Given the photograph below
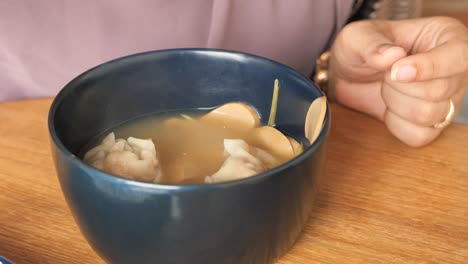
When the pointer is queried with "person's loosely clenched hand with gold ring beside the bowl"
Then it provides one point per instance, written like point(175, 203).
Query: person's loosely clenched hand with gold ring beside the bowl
point(402, 72)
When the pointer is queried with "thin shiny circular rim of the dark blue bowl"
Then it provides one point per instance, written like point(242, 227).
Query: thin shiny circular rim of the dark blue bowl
point(72, 158)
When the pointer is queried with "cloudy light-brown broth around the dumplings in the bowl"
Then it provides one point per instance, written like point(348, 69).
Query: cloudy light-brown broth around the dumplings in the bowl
point(189, 149)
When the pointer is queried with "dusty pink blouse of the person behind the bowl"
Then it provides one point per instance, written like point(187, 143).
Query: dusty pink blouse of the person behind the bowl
point(45, 44)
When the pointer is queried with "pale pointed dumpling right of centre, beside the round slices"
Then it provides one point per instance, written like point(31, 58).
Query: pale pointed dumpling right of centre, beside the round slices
point(241, 161)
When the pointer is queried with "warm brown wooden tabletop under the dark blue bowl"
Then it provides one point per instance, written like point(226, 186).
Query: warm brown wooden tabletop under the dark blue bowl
point(381, 202)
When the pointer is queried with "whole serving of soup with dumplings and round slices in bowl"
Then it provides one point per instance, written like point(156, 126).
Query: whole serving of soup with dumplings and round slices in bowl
point(225, 144)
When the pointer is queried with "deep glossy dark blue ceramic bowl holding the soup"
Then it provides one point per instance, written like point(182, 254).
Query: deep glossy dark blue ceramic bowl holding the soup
point(254, 220)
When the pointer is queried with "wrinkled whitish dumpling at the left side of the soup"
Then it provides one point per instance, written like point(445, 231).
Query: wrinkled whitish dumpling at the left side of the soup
point(132, 158)
